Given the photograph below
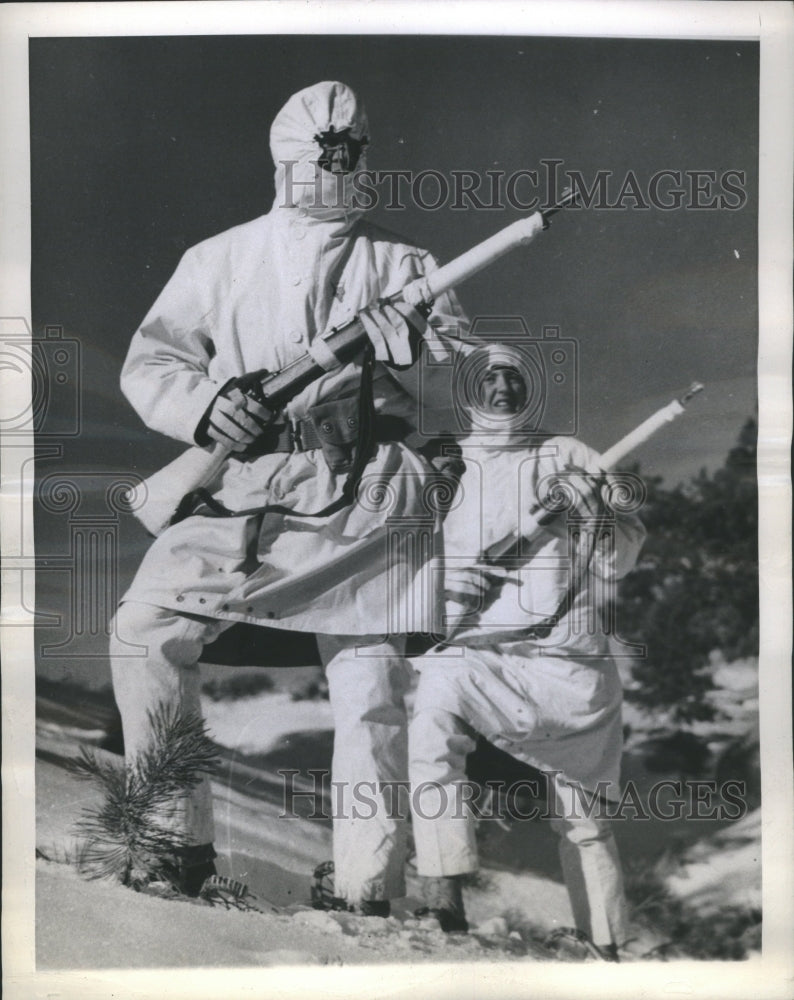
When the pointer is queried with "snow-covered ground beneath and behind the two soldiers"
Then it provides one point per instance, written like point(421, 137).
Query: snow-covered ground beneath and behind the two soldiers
point(519, 898)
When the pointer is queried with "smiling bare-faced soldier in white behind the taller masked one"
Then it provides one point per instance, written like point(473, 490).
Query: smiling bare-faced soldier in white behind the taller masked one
point(525, 668)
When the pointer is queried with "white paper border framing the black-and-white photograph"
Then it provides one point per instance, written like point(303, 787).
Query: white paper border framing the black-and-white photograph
point(770, 23)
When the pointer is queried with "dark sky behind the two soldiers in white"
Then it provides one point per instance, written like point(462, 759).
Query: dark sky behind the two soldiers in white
point(141, 147)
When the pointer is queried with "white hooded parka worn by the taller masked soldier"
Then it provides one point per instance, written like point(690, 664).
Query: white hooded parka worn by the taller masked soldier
point(256, 297)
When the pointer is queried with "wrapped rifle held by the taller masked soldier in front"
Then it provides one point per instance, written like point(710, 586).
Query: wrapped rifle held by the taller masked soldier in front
point(163, 491)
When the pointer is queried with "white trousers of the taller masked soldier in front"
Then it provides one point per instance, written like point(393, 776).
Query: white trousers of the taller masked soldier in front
point(366, 683)
